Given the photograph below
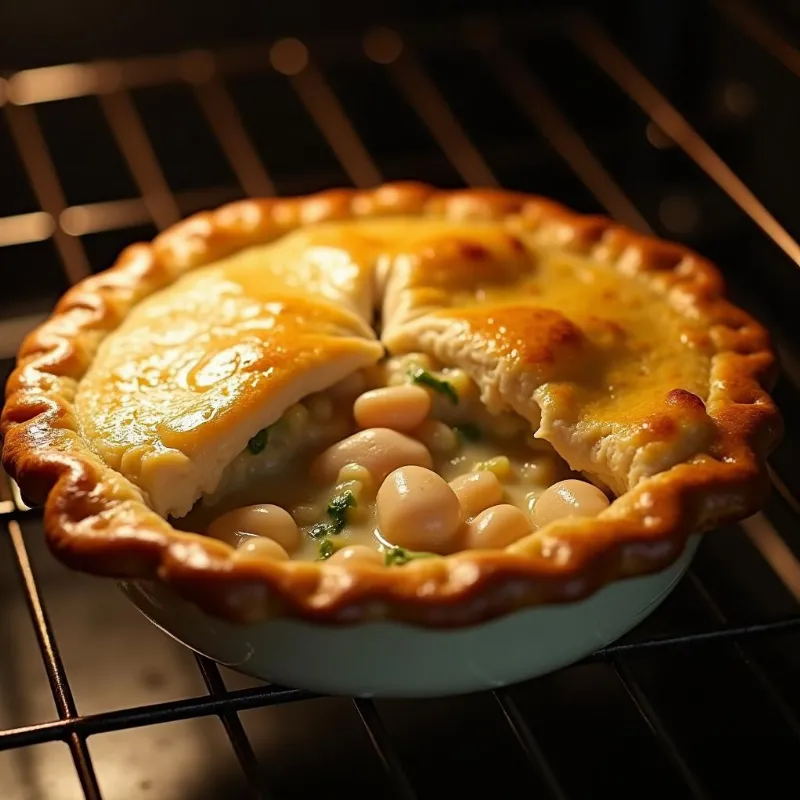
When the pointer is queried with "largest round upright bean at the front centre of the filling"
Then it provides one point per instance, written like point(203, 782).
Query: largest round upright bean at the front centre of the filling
point(418, 510)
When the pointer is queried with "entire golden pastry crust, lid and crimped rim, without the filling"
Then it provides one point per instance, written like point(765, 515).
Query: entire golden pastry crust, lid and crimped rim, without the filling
point(620, 350)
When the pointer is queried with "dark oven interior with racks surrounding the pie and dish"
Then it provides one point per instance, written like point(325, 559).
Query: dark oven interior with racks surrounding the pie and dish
point(678, 118)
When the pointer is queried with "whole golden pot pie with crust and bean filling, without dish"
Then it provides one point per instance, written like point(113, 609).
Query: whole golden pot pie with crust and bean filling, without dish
point(426, 406)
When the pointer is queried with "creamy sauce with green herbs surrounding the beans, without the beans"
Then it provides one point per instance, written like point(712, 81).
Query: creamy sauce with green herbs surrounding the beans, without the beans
point(461, 437)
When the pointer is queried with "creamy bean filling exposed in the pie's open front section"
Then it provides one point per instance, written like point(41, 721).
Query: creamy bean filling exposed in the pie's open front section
point(397, 462)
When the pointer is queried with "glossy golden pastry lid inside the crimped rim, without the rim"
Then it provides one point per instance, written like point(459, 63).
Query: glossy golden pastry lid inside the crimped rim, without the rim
point(590, 355)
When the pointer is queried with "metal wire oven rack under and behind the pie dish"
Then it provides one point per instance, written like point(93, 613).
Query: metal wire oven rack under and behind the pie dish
point(303, 65)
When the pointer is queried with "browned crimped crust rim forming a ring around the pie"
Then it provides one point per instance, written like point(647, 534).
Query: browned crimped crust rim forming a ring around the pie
point(97, 521)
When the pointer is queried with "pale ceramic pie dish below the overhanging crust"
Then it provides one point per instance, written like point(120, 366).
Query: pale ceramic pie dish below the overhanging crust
point(387, 659)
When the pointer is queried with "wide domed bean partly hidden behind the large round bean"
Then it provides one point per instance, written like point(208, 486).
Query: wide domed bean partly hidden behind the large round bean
point(379, 450)
